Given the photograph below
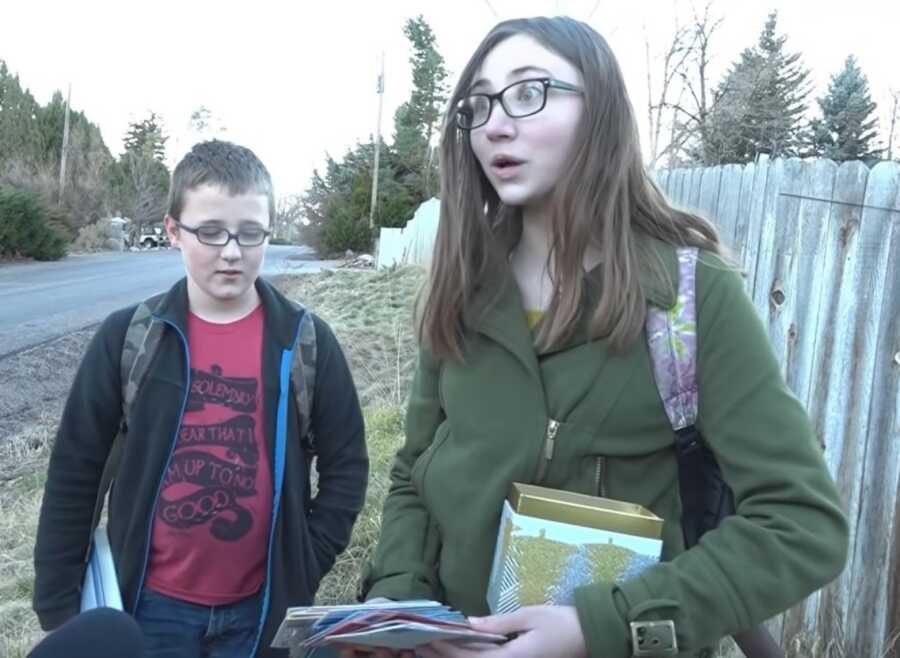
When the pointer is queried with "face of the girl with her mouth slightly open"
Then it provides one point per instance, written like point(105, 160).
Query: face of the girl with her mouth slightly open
point(524, 158)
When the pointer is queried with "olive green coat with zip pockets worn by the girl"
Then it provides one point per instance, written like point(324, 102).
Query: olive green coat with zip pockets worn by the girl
point(475, 427)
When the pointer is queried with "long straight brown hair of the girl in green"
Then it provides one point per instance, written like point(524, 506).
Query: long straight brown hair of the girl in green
point(604, 198)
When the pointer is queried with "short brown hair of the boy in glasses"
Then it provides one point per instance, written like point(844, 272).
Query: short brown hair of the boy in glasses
point(216, 162)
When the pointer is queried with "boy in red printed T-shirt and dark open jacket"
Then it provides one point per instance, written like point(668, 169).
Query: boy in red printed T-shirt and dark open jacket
point(210, 543)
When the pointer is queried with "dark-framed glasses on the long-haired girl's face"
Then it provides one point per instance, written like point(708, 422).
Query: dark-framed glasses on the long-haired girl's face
point(518, 100)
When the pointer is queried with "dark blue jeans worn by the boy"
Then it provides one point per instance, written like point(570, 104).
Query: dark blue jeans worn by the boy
point(178, 629)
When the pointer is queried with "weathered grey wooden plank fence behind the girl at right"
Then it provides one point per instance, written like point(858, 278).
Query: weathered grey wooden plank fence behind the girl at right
point(820, 243)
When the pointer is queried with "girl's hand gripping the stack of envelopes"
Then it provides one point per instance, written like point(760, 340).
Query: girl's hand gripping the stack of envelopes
point(543, 631)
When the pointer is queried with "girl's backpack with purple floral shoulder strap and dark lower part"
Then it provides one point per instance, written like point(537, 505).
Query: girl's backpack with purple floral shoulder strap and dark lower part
point(706, 499)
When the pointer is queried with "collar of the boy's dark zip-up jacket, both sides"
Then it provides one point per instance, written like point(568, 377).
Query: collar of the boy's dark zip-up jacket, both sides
point(282, 315)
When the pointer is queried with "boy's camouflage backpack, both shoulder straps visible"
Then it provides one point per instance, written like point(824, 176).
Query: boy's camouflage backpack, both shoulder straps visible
point(141, 343)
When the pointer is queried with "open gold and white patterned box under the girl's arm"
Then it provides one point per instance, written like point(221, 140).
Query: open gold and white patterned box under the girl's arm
point(552, 542)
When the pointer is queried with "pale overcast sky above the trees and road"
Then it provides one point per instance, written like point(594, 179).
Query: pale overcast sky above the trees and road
point(293, 80)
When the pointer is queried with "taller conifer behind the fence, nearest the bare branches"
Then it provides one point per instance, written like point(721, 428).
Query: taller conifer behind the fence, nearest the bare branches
point(759, 106)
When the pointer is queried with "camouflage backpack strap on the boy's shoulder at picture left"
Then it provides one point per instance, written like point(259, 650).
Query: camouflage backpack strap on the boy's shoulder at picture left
point(141, 341)
